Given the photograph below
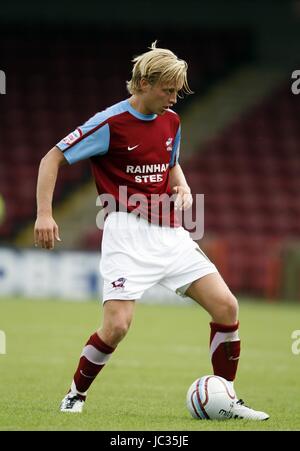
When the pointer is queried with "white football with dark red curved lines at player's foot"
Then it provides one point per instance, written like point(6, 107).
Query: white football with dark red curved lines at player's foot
point(210, 398)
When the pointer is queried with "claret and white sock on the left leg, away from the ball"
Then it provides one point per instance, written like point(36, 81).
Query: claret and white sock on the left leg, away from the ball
point(93, 358)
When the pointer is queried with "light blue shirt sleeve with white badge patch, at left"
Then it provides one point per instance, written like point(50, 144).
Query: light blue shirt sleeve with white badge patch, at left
point(88, 140)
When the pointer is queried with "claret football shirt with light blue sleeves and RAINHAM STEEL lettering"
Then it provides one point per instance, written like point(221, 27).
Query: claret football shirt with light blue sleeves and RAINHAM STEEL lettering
point(127, 148)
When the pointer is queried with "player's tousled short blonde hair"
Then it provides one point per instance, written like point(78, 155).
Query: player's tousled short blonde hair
point(159, 65)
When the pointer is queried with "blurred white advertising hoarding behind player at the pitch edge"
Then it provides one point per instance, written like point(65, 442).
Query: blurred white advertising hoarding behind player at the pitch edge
point(66, 275)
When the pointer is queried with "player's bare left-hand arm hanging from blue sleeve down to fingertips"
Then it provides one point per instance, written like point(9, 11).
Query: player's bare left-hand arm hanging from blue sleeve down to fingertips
point(46, 229)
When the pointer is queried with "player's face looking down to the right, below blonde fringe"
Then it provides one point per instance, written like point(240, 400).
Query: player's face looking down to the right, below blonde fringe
point(159, 97)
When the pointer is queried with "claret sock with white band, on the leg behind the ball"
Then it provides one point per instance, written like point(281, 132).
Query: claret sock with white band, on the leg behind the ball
point(224, 349)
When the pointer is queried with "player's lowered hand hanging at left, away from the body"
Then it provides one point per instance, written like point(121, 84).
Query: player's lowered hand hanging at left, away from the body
point(45, 232)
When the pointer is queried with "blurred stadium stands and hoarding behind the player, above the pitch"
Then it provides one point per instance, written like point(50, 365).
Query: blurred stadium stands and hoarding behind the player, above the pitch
point(63, 62)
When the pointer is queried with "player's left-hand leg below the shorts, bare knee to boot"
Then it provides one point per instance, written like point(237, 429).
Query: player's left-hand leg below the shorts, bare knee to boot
point(97, 351)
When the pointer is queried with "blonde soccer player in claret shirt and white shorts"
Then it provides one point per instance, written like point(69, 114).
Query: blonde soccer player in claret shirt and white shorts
point(134, 144)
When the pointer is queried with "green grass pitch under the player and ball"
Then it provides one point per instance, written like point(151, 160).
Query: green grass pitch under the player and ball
point(144, 385)
